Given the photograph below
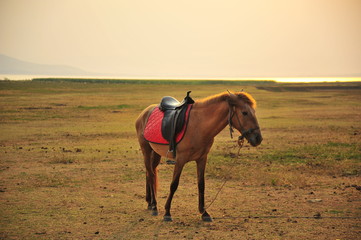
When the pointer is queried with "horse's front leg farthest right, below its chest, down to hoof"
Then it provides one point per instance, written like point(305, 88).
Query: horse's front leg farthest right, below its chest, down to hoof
point(201, 165)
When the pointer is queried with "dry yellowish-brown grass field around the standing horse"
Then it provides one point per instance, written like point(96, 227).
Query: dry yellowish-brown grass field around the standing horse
point(70, 165)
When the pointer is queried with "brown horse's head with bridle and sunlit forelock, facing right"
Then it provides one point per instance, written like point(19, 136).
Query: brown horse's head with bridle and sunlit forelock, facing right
point(242, 116)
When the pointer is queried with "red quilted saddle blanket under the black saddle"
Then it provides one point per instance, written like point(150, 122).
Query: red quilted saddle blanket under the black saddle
point(153, 128)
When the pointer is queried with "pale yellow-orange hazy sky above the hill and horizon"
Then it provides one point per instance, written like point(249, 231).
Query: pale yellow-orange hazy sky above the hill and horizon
point(188, 38)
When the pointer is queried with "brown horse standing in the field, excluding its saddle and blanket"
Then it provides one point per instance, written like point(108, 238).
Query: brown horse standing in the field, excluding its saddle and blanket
point(208, 117)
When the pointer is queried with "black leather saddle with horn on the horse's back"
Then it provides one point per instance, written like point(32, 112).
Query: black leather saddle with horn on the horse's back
point(174, 118)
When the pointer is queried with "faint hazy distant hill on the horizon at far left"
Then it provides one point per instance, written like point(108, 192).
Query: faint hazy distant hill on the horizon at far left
point(9, 65)
